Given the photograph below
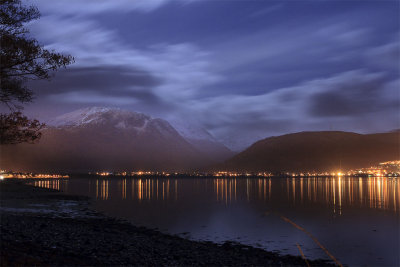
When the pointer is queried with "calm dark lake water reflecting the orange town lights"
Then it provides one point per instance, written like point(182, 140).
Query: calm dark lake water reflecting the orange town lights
point(355, 219)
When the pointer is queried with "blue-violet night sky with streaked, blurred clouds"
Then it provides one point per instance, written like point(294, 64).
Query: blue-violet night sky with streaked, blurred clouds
point(244, 70)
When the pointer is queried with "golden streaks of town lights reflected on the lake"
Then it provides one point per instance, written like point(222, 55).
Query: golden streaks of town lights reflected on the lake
point(373, 192)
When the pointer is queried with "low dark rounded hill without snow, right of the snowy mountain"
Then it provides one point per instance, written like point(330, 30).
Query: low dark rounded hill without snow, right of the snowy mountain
point(316, 151)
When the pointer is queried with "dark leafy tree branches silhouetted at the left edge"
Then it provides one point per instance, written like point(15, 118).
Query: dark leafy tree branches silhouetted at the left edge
point(22, 58)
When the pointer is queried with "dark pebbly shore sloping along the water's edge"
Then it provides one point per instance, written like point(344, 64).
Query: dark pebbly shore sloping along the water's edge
point(44, 227)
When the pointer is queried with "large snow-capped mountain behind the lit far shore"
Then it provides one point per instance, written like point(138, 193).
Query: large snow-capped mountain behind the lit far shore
point(107, 139)
